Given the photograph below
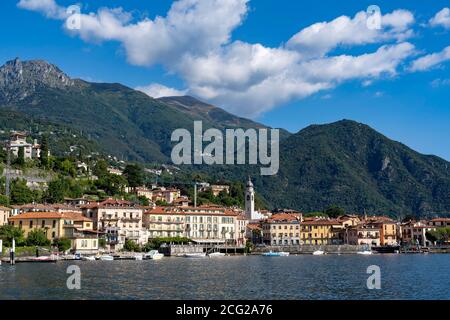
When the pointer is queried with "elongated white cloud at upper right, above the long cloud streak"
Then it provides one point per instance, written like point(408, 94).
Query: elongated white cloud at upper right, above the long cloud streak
point(322, 37)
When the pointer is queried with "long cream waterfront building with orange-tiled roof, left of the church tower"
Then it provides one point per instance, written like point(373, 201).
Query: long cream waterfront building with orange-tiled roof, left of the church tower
point(201, 224)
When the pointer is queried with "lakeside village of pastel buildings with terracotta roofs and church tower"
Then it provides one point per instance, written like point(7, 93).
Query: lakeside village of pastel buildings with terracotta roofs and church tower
point(173, 224)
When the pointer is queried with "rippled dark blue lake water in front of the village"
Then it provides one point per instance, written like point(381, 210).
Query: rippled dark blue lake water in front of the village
point(412, 276)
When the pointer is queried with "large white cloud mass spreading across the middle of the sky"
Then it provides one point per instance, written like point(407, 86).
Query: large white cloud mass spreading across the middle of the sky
point(194, 42)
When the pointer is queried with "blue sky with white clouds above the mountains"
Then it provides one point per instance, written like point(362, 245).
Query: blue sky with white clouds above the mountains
point(284, 63)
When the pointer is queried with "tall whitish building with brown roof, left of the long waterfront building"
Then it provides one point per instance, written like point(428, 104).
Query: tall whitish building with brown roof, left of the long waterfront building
point(120, 220)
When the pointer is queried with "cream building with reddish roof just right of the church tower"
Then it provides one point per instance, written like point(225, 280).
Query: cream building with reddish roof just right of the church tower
point(281, 229)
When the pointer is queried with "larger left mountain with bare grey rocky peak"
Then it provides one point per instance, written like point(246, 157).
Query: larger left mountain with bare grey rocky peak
point(121, 121)
